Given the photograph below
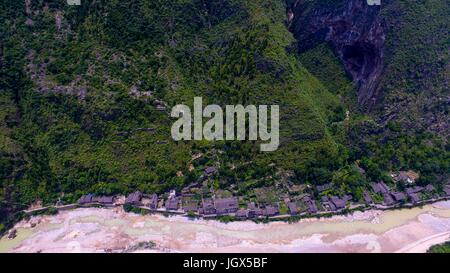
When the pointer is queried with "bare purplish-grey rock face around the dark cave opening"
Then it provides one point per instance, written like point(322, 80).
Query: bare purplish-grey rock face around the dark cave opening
point(355, 31)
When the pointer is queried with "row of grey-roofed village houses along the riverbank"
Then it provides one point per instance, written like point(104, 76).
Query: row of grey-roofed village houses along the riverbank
point(306, 204)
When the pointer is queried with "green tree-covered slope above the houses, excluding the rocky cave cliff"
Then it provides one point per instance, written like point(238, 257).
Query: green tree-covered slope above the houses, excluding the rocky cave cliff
point(86, 93)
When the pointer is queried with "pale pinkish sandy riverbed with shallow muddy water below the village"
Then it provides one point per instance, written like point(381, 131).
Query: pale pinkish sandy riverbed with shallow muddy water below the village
point(100, 230)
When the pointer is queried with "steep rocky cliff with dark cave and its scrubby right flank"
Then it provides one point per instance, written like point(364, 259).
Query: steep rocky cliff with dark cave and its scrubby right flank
point(396, 54)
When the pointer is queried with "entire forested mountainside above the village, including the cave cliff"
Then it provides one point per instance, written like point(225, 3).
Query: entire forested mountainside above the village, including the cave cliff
point(86, 93)
